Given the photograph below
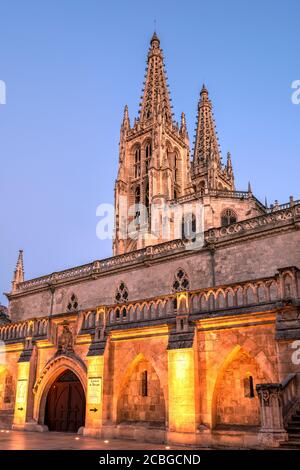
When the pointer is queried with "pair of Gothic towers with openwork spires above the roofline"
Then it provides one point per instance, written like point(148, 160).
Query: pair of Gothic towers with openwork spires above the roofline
point(155, 164)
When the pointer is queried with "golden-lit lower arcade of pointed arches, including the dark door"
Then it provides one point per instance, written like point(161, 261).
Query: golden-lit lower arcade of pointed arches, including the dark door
point(169, 393)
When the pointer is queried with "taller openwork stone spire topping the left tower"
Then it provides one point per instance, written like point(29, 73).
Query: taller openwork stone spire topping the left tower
point(156, 99)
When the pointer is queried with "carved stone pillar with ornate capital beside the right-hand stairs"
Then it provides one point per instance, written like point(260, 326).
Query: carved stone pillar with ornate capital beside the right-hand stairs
point(272, 429)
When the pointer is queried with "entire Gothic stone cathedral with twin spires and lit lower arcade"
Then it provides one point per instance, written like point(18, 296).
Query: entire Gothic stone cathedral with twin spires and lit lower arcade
point(189, 335)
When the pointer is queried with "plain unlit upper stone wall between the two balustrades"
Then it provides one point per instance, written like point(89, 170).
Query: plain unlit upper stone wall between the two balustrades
point(235, 262)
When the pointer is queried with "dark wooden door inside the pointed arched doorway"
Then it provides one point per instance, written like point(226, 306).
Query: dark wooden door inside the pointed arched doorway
point(65, 405)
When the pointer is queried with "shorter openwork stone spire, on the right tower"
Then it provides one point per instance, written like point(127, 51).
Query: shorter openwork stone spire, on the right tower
point(206, 142)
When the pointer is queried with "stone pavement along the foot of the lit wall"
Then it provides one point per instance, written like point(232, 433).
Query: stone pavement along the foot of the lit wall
point(17, 440)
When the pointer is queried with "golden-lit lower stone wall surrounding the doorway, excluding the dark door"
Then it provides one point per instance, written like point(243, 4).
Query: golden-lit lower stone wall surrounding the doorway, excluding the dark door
point(189, 388)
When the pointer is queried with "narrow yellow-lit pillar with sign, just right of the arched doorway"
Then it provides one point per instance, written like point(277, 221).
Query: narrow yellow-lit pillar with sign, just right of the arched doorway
point(94, 399)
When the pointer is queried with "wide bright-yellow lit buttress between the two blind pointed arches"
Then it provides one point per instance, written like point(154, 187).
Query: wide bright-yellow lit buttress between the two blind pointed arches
point(182, 406)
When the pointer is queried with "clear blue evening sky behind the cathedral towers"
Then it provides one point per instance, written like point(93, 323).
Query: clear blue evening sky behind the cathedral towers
point(70, 66)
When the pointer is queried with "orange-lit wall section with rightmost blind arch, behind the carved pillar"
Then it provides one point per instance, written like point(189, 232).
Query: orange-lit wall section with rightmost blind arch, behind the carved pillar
point(221, 343)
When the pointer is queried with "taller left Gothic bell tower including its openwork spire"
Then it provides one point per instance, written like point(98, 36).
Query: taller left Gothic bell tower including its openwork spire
point(154, 160)
